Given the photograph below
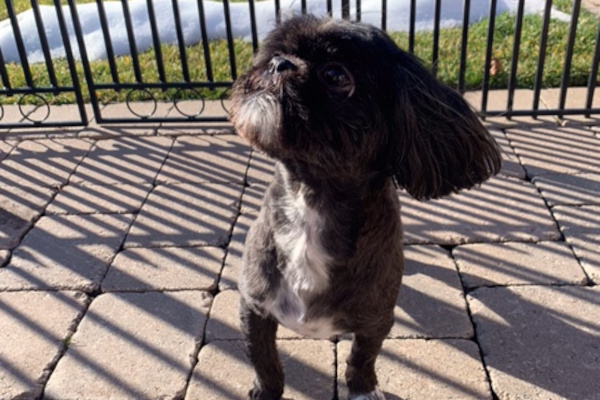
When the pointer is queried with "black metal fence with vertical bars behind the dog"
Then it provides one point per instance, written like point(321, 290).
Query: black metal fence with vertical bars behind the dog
point(174, 83)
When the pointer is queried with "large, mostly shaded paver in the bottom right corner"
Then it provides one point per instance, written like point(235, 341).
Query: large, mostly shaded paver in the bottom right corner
point(539, 342)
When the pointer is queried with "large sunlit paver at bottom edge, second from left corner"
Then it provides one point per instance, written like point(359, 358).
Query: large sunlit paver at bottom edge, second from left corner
point(132, 345)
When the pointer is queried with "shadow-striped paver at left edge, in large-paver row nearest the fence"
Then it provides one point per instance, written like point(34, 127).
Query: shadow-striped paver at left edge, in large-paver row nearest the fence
point(45, 162)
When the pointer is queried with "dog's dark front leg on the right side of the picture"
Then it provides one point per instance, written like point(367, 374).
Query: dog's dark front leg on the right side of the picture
point(360, 372)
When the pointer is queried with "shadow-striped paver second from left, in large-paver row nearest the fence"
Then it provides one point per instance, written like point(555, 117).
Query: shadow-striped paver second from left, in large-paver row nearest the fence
point(123, 160)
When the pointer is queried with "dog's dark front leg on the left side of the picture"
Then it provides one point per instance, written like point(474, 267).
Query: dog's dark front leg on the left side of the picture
point(261, 349)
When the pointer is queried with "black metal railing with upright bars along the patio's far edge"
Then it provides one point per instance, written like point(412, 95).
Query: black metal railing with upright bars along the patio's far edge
point(146, 92)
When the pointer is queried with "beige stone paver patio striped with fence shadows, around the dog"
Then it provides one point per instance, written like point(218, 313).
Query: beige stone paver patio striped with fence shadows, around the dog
point(120, 248)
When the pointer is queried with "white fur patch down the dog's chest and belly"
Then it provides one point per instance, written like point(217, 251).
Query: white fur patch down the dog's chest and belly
point(306, 273)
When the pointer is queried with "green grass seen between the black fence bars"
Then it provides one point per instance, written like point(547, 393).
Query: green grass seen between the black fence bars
point(447, 66)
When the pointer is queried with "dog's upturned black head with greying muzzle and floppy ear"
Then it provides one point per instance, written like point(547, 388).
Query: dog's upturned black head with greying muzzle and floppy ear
point(342, 100)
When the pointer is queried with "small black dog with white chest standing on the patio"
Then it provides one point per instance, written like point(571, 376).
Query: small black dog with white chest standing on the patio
point(349, 117)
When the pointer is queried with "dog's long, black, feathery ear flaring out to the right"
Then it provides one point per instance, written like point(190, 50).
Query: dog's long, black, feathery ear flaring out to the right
point(439, 145)
